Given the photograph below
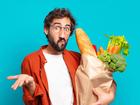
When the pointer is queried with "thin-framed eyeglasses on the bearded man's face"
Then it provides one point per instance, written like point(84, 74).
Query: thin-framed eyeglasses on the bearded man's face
point(57, 29)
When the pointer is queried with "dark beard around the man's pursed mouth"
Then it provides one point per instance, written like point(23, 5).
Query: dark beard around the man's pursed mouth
point(60, 45)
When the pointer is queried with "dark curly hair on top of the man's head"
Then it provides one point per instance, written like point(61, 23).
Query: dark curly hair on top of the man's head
point(59, 13)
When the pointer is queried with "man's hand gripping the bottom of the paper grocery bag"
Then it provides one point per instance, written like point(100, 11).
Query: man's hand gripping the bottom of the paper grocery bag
point(104, 98)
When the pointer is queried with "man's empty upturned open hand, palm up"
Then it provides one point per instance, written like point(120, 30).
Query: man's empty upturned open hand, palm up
point(23, 79)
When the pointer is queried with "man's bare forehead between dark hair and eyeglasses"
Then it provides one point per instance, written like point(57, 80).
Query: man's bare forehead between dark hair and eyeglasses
point(63, 21)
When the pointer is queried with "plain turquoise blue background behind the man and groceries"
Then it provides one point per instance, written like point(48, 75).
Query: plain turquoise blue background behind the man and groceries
point(21, 32)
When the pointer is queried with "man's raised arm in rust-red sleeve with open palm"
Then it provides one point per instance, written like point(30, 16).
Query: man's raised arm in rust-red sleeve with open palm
point(31, 90)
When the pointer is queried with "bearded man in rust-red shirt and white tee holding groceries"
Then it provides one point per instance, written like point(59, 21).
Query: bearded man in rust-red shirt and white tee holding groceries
point(48, 75)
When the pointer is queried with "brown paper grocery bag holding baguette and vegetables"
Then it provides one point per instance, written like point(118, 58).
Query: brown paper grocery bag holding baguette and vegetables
point(90, 74)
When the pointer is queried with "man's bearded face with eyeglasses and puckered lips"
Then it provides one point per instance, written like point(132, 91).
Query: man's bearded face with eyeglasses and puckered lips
point(58, 33)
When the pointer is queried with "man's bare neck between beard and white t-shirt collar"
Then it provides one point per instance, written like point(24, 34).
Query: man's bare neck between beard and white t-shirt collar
point(51, 50)
